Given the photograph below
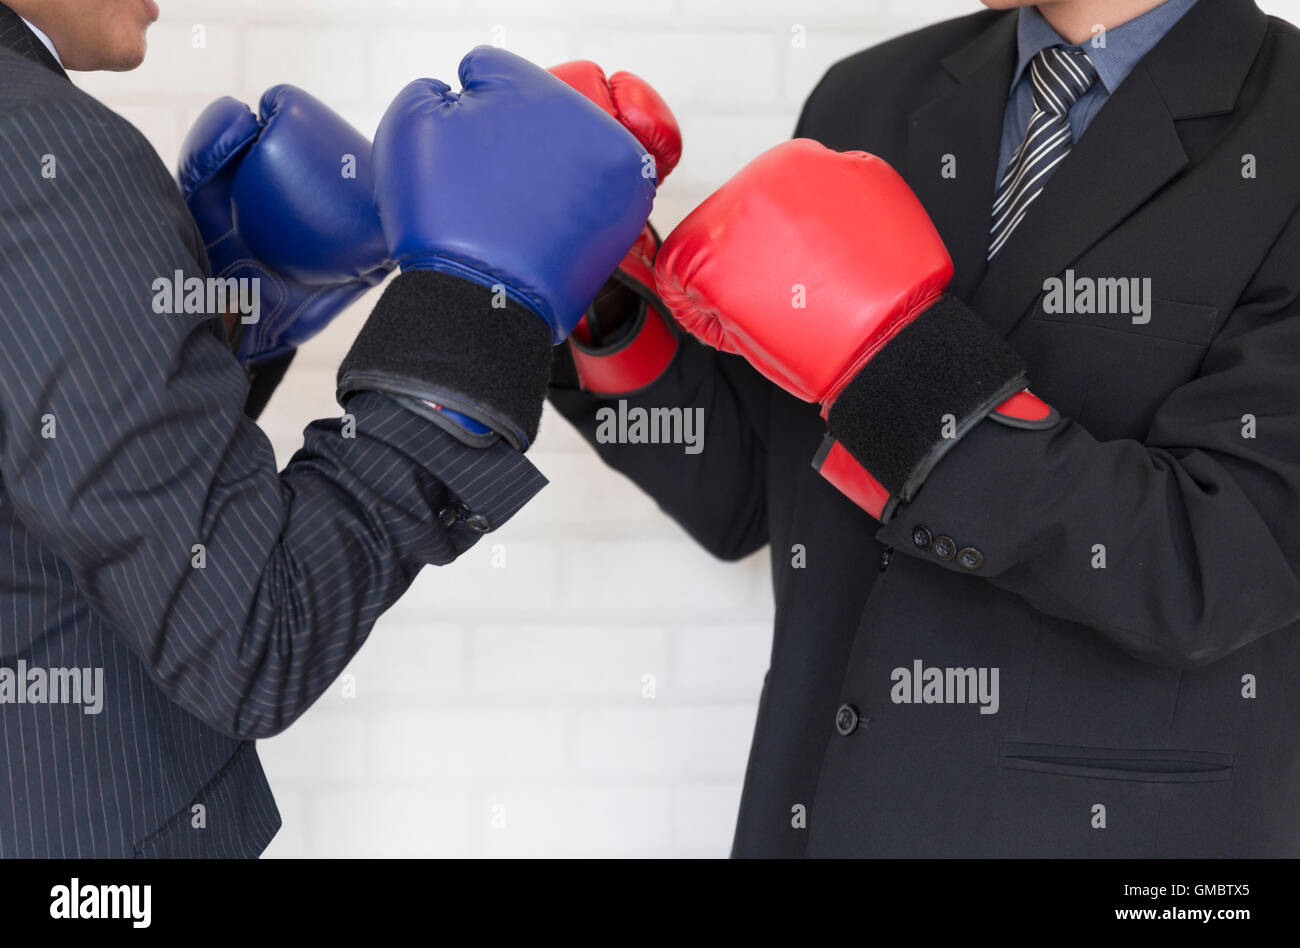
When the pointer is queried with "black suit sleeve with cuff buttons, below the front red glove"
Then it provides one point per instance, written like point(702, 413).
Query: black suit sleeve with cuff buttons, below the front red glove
point(1199, 525)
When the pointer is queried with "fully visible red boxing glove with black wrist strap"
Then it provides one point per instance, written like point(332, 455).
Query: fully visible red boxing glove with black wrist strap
point(825, 272)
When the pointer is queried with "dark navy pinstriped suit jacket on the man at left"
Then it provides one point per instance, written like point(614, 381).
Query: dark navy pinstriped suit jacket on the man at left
point(123, 449)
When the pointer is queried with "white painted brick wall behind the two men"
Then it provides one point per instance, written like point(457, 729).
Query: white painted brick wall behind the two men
point(528, 709)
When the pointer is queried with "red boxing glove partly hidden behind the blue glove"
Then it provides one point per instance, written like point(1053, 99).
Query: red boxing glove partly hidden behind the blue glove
point(645, 348)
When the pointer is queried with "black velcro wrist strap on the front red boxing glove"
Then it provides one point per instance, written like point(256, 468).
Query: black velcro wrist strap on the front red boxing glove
point(939, 376)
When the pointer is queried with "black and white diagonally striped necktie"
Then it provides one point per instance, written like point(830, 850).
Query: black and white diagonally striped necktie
point(1060, 77)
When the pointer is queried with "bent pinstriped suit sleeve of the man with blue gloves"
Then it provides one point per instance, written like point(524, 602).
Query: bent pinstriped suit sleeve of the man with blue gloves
point(125, 449)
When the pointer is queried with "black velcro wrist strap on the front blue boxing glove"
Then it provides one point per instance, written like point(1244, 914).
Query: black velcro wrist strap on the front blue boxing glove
point(440, 339)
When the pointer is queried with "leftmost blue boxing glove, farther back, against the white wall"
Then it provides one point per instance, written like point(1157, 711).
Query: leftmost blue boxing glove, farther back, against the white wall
point(287, 198)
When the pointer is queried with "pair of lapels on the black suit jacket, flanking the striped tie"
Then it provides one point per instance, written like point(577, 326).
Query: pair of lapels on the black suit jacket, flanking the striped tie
point(1128, 154)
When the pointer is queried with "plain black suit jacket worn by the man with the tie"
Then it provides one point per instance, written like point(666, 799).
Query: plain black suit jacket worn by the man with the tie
point(1138, 582)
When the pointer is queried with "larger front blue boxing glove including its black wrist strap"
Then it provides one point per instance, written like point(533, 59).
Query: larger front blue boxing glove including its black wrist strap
point(508, 206)
